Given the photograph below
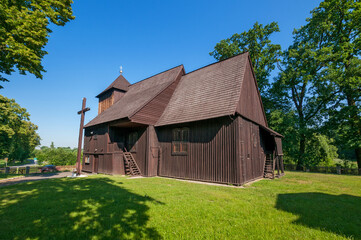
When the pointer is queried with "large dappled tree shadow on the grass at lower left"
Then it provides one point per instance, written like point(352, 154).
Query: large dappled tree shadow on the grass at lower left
point(85, 208)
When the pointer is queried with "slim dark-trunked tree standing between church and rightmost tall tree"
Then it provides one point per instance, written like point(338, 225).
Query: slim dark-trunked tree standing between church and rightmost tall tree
point(303, 85)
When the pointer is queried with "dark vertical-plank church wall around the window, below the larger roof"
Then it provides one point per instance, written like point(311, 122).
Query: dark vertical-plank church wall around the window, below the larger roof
point(212, 154)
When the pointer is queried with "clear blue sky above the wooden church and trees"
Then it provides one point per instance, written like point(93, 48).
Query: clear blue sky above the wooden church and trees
point(145, 37)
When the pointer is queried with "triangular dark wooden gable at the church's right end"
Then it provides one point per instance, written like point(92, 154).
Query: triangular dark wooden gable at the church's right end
point(250, 104)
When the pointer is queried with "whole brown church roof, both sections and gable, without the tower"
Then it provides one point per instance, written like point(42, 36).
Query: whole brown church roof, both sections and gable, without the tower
point(223, 88)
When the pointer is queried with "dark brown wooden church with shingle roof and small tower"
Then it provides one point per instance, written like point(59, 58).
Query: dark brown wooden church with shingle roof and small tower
point(207, 125)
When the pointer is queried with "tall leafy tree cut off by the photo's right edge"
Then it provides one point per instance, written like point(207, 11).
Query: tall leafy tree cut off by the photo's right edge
point(332, 41)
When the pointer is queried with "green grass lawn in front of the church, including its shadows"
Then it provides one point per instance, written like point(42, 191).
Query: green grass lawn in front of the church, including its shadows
point(297, 206)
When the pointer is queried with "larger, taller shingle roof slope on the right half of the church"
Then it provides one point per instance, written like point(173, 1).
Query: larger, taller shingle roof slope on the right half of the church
point(209, 92)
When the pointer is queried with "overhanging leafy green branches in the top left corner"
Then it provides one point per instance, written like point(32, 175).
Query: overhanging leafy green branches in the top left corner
point(24, 32)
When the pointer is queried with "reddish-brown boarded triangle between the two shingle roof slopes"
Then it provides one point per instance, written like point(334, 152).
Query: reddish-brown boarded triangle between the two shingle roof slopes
point(154, 109)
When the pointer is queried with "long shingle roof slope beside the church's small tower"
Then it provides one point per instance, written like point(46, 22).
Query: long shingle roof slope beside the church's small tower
point(137, 96)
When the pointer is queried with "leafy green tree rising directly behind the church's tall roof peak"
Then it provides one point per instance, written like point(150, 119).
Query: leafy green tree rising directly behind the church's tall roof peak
point(263, 53)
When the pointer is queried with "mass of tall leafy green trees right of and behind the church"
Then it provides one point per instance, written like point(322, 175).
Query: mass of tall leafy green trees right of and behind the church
point(315, 99)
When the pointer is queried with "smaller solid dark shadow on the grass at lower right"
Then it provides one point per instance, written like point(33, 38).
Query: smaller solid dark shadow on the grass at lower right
point(340, 214)
